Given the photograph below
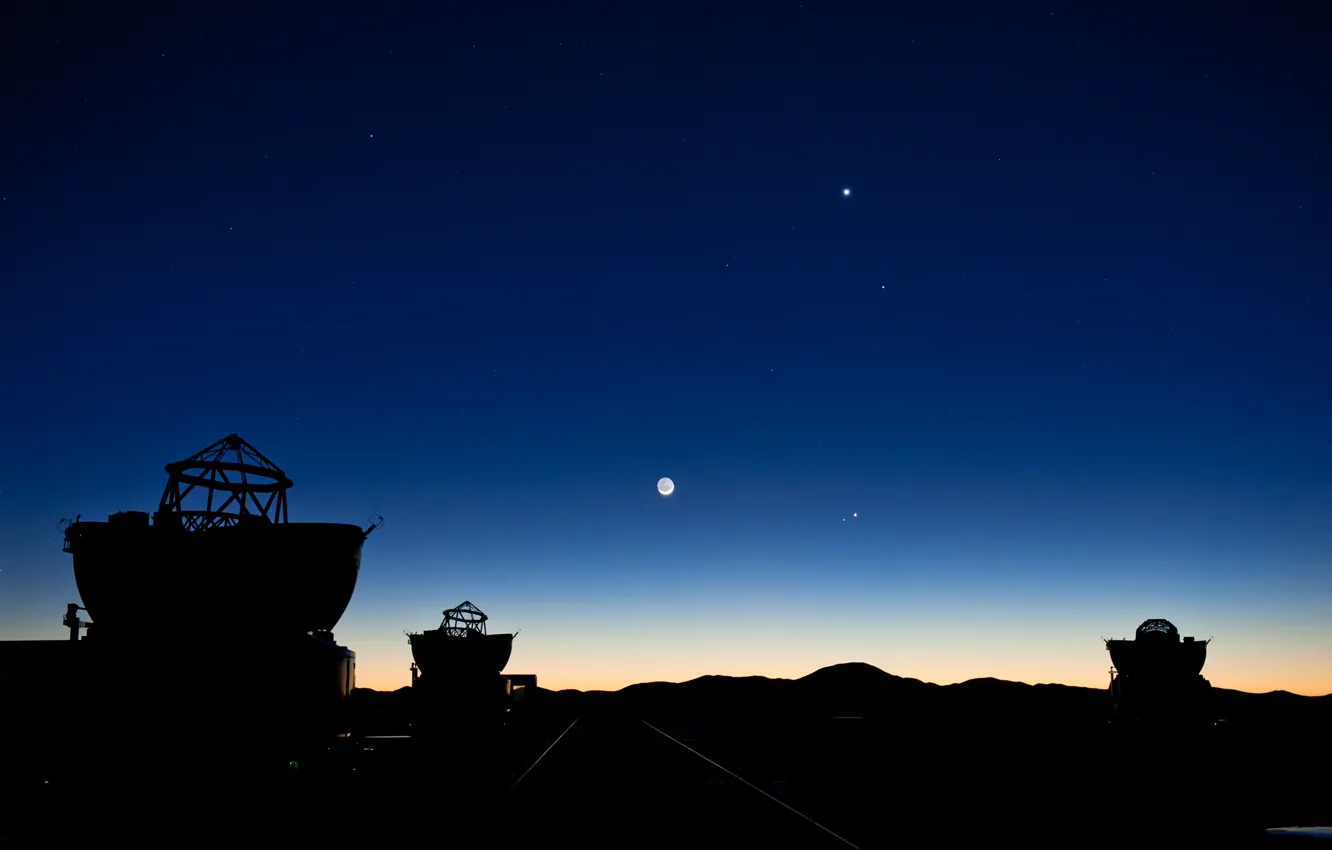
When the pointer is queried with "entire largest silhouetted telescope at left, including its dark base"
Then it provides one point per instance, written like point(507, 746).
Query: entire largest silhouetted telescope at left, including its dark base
point(211, 627)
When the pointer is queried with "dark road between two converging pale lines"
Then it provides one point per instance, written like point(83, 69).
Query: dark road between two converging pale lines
point(615, 783)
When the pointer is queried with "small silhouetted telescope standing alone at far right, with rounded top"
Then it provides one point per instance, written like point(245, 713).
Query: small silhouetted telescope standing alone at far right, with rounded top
point(1158, 676)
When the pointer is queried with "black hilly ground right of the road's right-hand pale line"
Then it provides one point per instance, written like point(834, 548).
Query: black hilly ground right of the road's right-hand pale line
point(878, 759)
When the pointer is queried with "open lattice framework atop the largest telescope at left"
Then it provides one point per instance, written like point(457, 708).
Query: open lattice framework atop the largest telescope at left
point(240, 483)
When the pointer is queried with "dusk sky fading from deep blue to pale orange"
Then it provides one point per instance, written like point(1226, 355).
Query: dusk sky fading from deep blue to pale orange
point(492, 271)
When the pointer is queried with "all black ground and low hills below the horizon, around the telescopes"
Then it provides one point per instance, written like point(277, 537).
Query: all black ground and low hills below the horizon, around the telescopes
point(849, 756)
